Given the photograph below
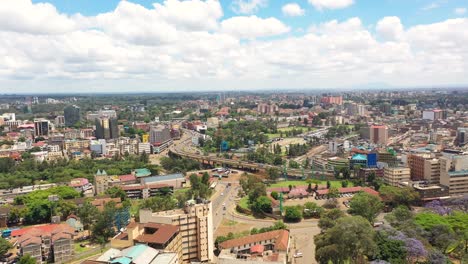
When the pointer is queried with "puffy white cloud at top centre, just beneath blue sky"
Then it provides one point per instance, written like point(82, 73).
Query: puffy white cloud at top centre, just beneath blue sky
point(253, 27)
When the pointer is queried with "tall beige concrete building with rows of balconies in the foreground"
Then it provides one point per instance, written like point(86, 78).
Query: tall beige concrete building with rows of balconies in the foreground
point(195, 223)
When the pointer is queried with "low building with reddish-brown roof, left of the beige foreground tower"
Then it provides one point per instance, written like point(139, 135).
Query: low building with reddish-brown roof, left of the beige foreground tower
point(163, 237)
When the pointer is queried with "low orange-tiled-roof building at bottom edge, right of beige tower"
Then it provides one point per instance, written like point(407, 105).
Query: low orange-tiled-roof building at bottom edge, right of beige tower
point(268, 247)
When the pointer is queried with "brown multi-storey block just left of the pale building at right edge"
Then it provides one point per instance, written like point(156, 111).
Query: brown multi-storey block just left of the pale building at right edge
point(424, 168)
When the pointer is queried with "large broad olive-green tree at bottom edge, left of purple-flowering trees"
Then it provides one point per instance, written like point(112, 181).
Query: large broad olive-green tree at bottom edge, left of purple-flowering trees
point(351, 239)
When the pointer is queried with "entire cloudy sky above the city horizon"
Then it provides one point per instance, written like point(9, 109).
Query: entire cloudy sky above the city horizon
point(61, 46)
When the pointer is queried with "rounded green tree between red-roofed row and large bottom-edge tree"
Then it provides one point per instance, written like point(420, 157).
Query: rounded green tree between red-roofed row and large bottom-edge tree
point(365, 205)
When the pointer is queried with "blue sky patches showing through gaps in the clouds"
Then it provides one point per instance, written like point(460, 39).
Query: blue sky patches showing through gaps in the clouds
point(411, 12)
